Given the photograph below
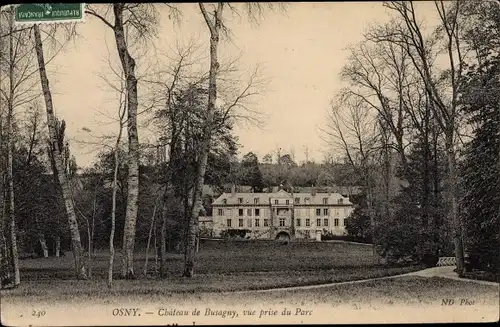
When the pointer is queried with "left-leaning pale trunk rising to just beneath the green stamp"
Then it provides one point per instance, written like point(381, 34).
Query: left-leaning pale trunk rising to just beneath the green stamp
point(56, 154)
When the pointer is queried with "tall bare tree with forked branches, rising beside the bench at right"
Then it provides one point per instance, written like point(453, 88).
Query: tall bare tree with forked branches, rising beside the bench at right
point(442, 90)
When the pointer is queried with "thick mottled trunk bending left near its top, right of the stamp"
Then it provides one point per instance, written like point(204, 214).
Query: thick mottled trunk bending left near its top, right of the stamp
point(128, 65)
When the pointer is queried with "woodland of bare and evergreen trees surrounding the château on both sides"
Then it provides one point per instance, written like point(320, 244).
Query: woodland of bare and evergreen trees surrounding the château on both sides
point(416, 127)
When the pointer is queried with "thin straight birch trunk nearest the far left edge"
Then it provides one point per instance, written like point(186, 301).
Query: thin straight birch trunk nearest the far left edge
point(10, 175)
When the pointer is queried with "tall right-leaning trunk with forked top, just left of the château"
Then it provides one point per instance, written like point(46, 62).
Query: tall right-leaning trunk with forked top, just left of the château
point(192, 231)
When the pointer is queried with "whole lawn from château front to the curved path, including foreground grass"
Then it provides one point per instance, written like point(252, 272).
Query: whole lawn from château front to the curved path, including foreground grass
point(220, 266)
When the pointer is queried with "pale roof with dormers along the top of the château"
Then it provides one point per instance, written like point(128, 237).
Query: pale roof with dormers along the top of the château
point(264, 198)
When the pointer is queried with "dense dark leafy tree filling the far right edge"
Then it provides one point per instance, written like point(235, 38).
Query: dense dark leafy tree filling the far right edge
point(480, 171)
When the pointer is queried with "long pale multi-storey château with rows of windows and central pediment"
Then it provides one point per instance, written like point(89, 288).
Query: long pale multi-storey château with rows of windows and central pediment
point(280, 214)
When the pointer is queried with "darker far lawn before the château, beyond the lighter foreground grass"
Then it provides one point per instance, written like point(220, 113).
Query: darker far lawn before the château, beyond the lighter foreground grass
point(221, 258)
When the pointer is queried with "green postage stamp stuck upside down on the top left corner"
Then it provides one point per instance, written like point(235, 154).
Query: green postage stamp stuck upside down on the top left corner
point(31, 13)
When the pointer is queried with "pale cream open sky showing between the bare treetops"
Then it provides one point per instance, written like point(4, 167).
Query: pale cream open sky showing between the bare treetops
point(301, 52)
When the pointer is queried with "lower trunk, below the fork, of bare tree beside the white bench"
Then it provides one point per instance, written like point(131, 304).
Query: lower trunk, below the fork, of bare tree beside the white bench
point(454, 217)
